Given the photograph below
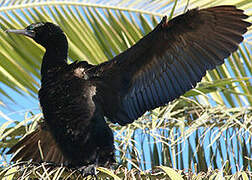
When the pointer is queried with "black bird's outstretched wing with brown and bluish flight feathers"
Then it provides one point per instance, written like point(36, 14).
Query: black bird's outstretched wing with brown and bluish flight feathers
point(172, 58)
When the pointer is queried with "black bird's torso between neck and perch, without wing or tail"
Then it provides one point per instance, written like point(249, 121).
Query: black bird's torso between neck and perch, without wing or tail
point(74, 114)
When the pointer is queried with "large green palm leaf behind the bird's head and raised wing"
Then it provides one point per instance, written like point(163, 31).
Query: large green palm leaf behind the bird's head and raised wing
point(97, 32)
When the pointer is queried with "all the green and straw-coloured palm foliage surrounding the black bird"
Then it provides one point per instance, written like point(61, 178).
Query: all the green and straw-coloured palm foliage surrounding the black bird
point(206, 134)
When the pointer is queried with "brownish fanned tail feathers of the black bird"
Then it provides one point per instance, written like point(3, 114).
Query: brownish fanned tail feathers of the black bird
point(38, 146)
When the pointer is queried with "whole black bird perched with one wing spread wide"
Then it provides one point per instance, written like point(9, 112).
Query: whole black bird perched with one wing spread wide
point(159, 68)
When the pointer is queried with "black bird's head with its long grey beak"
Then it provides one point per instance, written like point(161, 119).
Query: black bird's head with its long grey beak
point(43, 33)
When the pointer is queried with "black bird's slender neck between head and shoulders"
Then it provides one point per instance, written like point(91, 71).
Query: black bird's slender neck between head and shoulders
point(55, 56)
